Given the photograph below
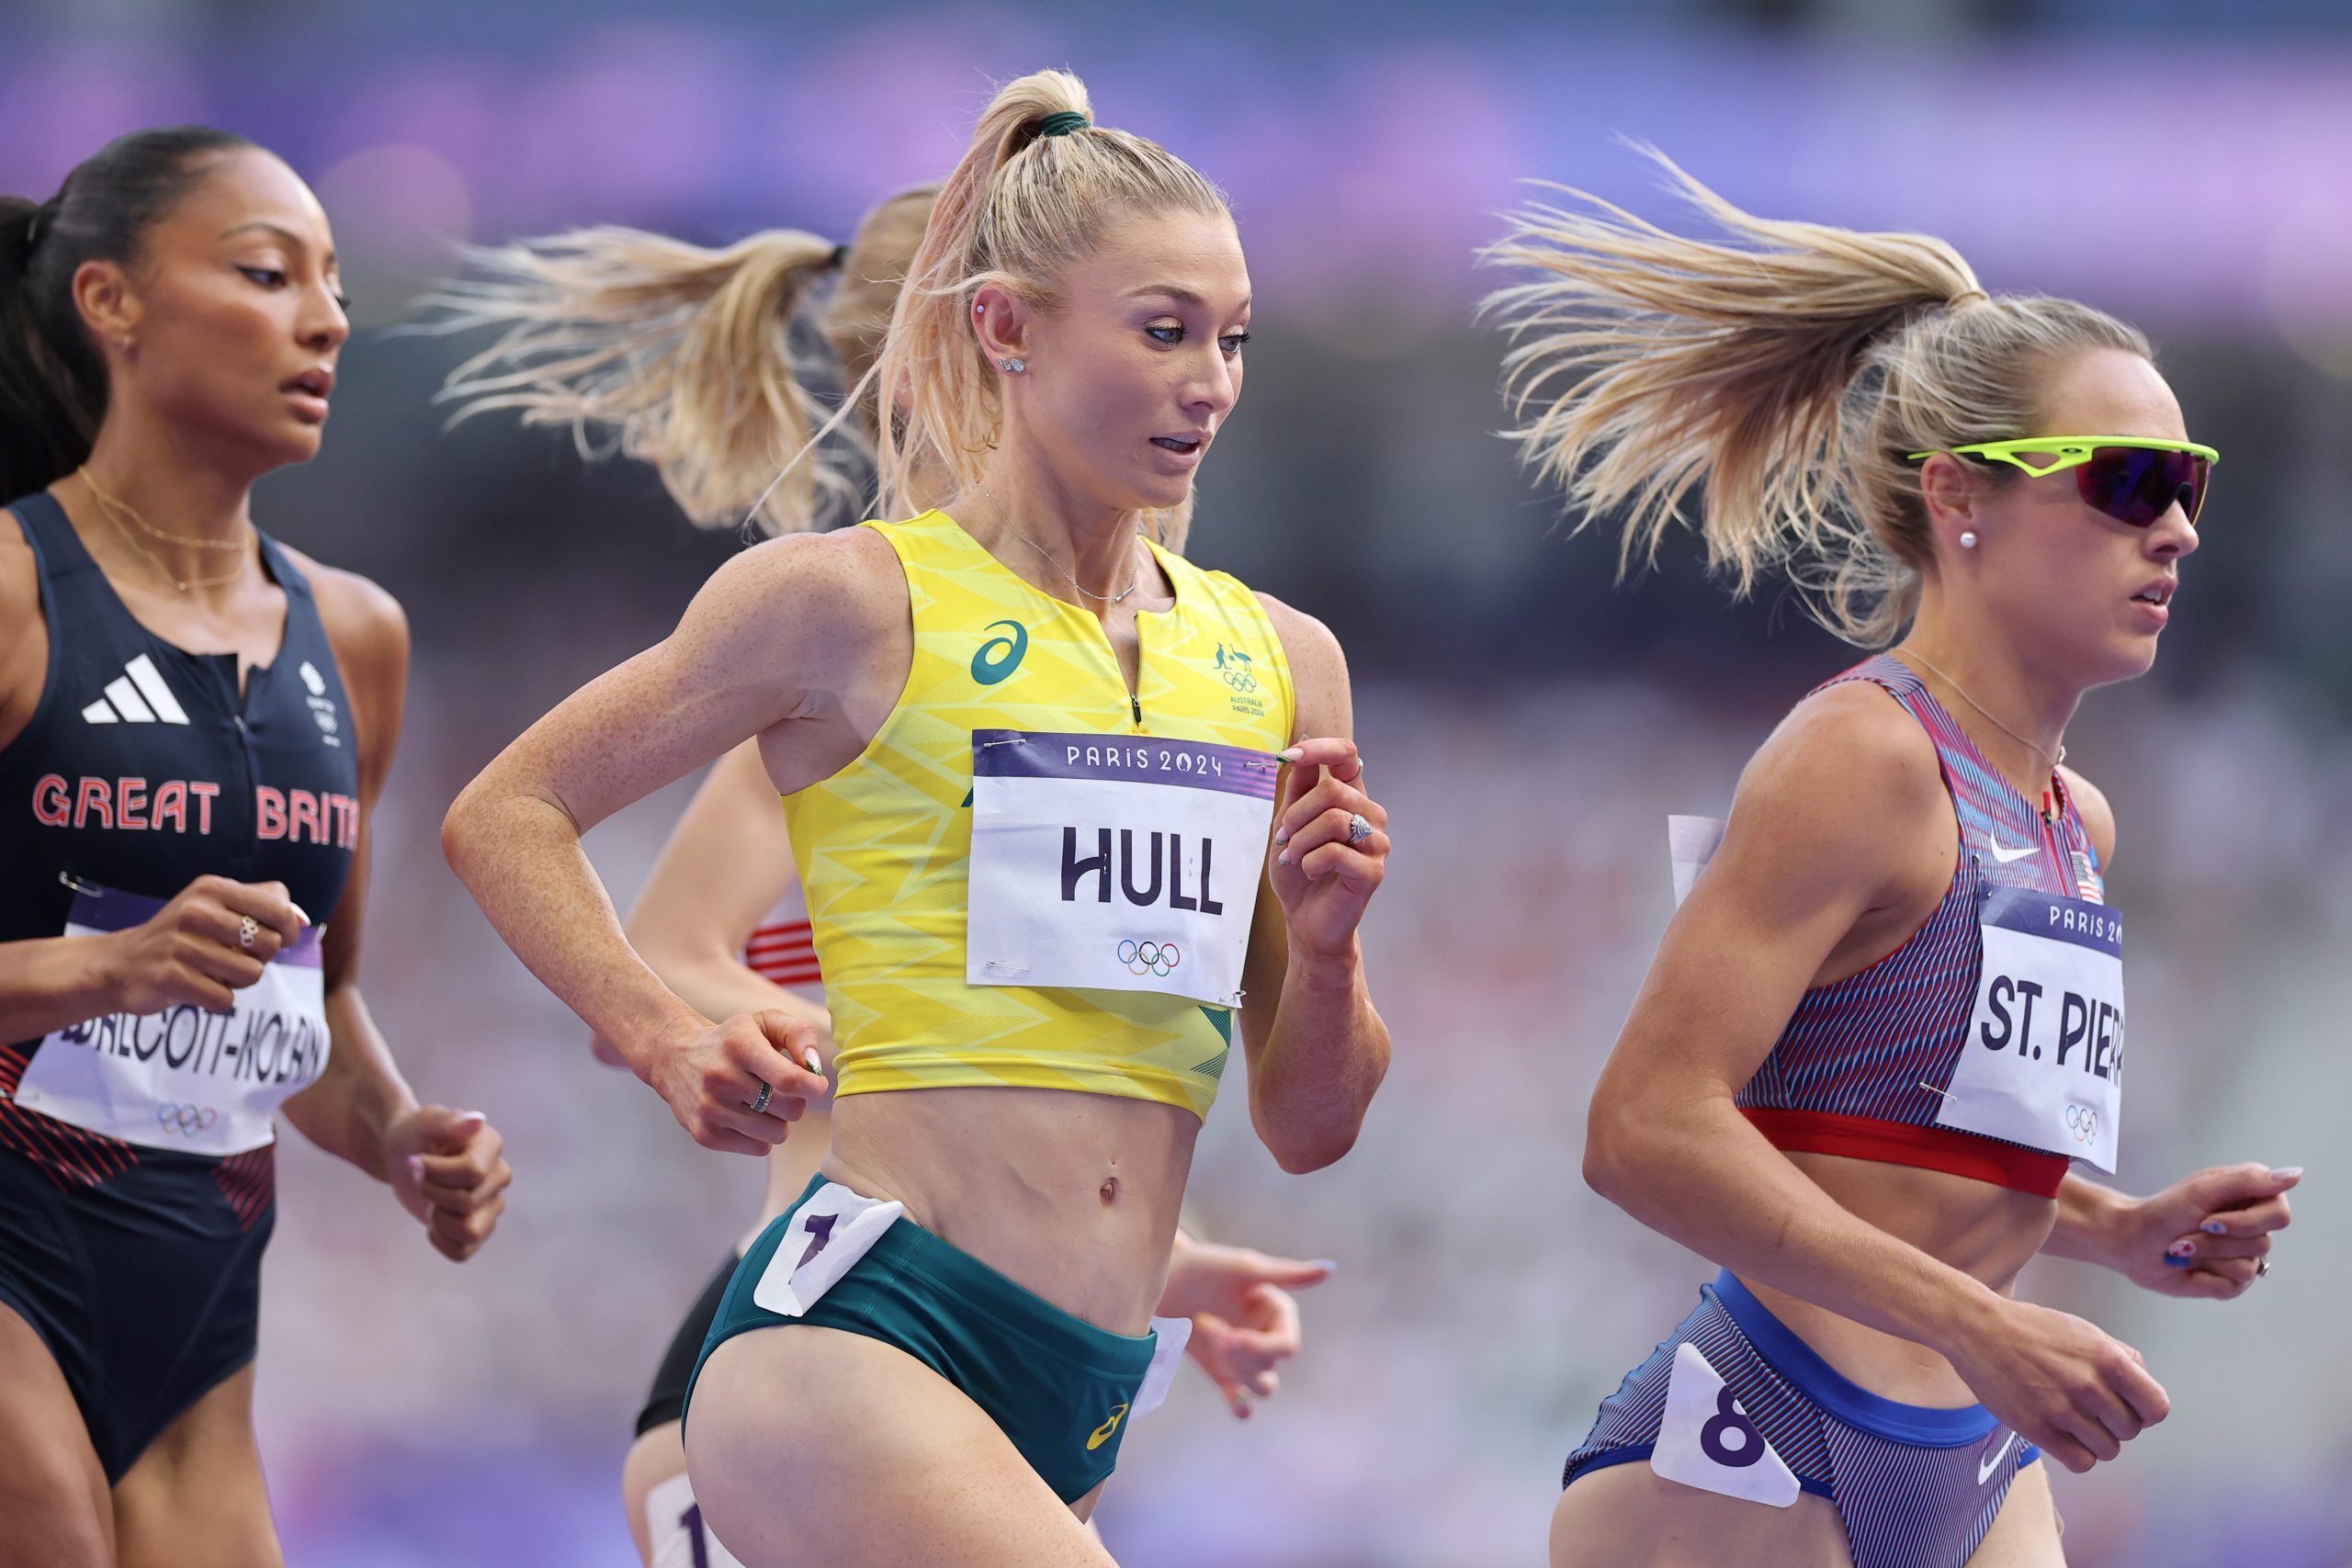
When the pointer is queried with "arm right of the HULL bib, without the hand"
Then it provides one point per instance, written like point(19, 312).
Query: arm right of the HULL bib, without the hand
point(1314, 1043)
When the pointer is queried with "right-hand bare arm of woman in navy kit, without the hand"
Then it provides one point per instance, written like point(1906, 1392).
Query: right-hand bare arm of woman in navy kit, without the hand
point(361, 1092)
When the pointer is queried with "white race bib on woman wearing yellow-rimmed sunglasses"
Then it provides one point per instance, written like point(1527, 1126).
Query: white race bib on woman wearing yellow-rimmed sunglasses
point(2045, 1059)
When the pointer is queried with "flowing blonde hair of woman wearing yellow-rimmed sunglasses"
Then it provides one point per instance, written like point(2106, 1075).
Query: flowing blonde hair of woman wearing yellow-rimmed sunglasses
point(1791, 370)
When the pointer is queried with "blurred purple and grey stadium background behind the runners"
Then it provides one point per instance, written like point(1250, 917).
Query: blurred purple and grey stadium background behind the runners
point(1530, 723)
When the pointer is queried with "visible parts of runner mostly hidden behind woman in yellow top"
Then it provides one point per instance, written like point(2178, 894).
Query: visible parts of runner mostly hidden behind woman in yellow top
point(721, 916)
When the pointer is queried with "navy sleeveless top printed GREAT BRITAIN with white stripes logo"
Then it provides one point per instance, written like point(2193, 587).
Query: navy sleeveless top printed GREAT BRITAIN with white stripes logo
point(145, 770)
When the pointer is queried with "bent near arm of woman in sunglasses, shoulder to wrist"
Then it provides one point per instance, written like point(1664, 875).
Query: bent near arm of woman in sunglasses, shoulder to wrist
point(1826, 836)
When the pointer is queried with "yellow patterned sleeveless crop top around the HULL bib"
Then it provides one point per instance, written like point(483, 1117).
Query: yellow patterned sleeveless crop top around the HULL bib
point(886, 843)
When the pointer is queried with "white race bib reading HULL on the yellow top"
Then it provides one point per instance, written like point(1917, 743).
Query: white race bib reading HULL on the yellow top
point(1116, 862)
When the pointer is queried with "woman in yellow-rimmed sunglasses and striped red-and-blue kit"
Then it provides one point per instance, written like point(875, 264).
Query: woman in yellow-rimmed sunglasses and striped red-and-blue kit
point(1890, 1010)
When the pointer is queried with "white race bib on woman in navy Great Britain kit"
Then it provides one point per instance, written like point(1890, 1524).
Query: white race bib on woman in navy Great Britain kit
point(185, 1078)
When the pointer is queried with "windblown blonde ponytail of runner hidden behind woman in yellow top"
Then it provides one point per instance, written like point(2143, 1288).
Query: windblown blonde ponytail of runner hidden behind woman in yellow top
point(683, 354)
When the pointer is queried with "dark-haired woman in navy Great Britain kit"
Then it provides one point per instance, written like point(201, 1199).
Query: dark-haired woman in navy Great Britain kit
point(194, 728)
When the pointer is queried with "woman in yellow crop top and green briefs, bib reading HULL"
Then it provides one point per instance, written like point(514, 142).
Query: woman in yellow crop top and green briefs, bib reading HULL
point(1029, 796)
